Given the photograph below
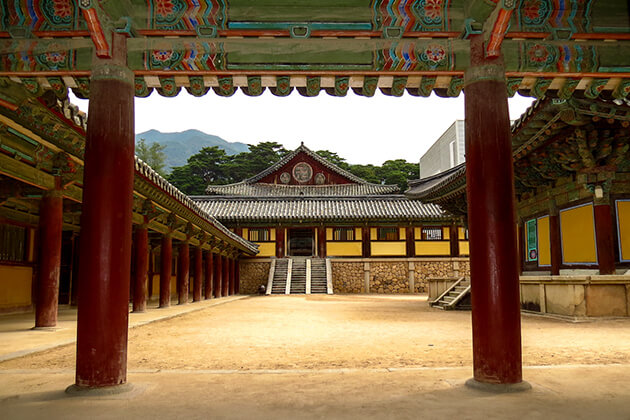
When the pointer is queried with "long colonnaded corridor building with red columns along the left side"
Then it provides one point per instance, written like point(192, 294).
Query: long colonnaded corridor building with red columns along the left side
point(179, 250)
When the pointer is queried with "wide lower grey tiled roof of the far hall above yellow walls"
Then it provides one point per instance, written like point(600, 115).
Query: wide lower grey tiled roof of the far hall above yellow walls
point(295, 209)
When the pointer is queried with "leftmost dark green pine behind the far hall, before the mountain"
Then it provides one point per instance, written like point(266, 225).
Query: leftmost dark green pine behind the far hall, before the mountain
point(204, 168)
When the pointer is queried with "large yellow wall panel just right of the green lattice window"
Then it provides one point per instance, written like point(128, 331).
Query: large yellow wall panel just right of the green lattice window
point(578, 235)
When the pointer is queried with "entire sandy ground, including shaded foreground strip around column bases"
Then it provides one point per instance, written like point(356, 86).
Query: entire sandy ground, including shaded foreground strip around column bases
point(331, 357)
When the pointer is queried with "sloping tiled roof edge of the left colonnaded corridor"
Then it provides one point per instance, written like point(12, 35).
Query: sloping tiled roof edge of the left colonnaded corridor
point(143, 169)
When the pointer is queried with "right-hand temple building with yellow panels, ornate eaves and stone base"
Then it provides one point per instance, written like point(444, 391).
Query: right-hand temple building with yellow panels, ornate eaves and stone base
point(572, 181)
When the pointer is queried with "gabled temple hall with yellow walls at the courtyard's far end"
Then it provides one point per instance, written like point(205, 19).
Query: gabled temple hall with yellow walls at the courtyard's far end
point(375, 239)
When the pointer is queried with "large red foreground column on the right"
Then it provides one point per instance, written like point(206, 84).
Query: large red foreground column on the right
point(496, 321)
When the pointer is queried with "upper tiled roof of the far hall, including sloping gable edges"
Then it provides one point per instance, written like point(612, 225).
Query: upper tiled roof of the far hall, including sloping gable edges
point(252, 188)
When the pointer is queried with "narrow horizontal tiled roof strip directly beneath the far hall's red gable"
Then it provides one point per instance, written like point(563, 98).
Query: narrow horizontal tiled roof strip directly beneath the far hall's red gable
point(279, 190)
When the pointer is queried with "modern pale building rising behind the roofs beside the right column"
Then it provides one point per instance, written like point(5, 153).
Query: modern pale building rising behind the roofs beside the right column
point(448, 151)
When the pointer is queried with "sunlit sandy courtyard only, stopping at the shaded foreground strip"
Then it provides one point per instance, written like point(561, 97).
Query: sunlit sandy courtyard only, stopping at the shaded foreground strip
point(356, 332)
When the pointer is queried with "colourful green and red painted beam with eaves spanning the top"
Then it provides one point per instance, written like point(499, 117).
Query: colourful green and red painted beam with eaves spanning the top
point(416, 46)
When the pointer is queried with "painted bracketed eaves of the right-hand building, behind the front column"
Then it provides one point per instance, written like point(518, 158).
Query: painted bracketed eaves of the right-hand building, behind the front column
point(575, 138)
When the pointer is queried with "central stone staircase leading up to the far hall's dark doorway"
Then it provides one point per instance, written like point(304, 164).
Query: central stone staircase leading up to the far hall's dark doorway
point(299, 275)
